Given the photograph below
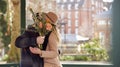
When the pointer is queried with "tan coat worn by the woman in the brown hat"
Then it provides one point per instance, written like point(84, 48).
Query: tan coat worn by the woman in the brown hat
point(51, 54)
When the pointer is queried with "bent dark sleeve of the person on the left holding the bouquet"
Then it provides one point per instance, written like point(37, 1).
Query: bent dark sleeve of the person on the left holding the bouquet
point(26, 39)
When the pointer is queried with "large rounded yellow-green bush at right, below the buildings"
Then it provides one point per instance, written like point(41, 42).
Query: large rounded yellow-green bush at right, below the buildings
point(96, 50)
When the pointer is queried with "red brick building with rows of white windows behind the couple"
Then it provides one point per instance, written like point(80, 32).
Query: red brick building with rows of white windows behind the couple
point(75, 17)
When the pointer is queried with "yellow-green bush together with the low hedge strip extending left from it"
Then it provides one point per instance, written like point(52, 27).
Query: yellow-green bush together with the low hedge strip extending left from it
point(91, 51)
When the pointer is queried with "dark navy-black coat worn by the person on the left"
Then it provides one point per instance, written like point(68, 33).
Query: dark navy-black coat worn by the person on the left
point(24, 41)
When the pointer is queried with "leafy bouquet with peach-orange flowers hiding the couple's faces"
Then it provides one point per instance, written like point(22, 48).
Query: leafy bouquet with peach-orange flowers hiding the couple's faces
point(41, 24)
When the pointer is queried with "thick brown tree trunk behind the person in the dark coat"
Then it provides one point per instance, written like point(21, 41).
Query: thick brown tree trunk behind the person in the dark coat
point(14, 52)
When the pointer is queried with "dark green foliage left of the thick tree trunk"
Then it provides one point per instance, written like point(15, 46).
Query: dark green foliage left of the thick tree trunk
point(3, 24)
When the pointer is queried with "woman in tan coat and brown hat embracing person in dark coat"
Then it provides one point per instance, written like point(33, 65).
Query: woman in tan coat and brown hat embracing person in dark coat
point(51, 53)
